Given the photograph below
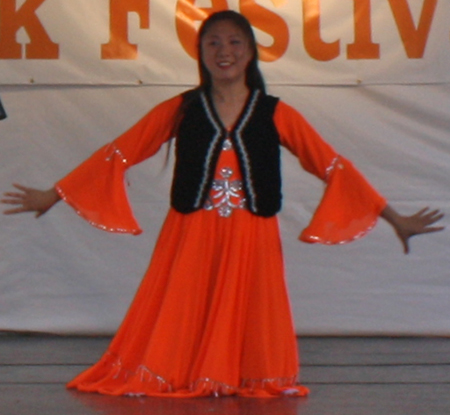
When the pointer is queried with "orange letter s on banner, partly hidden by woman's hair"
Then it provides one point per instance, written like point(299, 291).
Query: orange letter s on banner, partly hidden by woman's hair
point(270, 23)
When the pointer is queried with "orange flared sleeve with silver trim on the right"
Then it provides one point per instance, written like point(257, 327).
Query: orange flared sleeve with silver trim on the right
point(350, 206)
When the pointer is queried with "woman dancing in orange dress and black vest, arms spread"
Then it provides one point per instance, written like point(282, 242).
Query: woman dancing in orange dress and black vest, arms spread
point(212, 315)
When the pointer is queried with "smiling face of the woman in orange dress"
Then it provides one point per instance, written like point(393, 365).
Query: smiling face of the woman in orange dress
point(226, 52)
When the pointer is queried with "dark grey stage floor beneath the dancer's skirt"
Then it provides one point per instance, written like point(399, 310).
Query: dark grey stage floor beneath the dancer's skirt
point(347, 376)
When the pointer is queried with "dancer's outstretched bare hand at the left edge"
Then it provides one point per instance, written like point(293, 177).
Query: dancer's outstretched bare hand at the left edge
point(27, 199)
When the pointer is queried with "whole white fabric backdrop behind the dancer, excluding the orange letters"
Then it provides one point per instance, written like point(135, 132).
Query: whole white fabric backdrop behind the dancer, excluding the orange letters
point(389, 115)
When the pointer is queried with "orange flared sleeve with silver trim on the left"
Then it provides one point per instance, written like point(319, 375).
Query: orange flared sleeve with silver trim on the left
point(96, 189)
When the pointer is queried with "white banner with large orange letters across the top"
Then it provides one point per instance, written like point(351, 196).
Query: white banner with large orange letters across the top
point(315, 42)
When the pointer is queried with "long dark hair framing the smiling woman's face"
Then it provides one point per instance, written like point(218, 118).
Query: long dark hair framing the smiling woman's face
point(254, 78)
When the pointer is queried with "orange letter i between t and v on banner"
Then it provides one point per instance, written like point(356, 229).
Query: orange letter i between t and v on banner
point(363, 47)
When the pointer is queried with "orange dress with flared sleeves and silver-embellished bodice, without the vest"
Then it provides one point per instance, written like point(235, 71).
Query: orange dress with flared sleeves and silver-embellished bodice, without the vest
point(212, 314)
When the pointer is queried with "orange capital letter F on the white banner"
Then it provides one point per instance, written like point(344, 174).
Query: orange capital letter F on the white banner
point(118, 46)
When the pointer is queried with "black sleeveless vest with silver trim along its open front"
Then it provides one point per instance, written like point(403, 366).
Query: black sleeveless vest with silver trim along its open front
point(199, 143)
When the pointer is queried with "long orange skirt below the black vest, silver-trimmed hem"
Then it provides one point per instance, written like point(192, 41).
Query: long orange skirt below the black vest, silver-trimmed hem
point(211, 317)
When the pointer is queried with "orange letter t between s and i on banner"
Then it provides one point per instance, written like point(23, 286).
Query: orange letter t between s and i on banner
point(314, 45)
